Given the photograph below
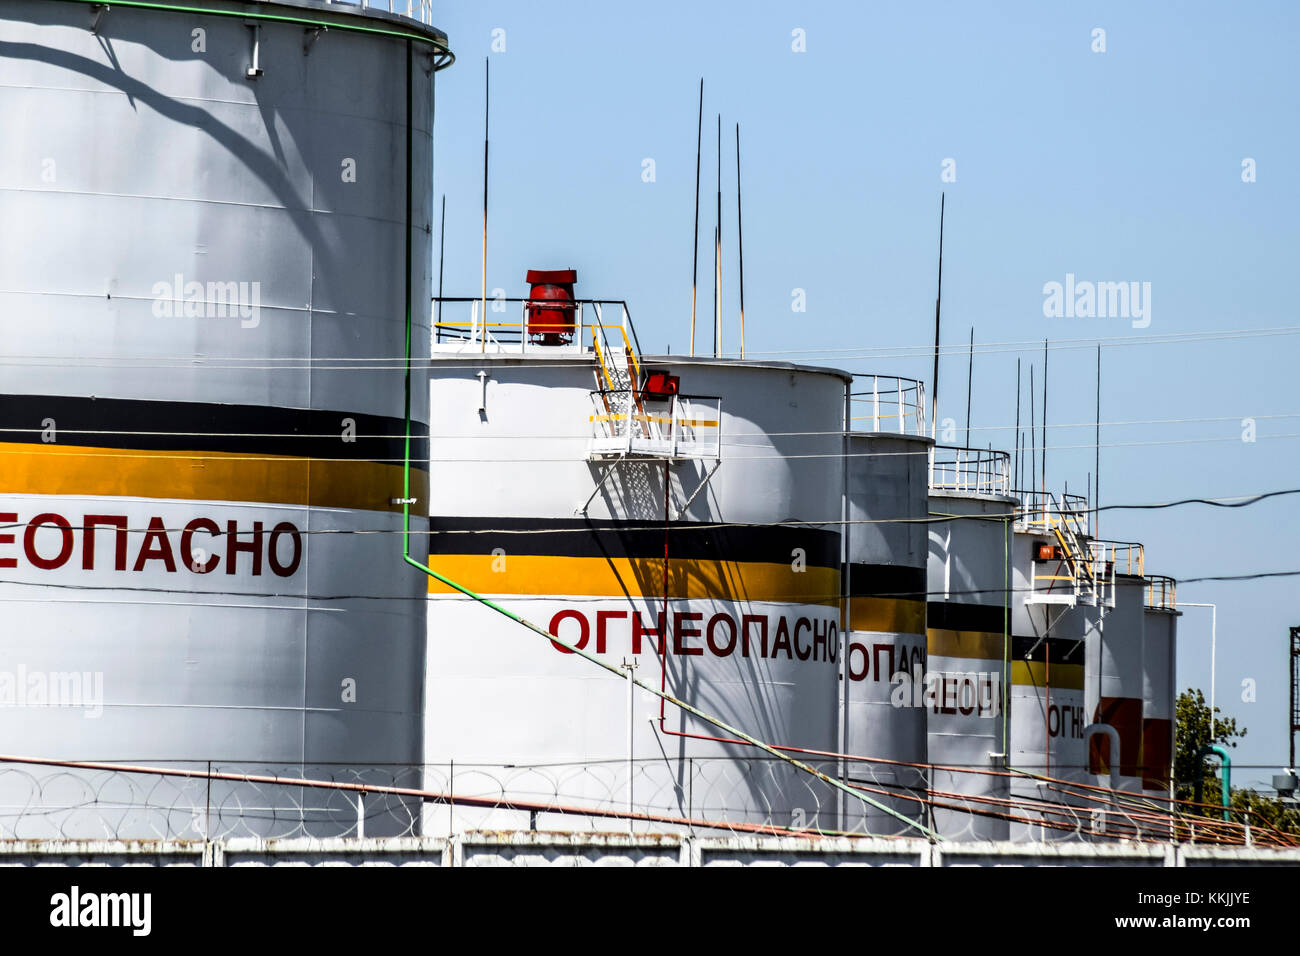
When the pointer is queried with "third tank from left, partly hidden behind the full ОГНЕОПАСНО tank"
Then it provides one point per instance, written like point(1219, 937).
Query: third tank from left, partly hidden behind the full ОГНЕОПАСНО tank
point(883, 698)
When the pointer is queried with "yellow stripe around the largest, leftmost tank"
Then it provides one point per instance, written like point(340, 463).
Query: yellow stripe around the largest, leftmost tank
point(28, 469)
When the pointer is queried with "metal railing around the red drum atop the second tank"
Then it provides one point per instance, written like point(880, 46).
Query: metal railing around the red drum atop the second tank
point(512, 334)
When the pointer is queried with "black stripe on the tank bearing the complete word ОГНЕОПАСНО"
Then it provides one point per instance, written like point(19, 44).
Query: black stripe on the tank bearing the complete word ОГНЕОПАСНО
point(578, 538)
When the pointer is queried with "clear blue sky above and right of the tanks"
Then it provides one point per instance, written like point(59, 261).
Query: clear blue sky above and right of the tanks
point(1117, 166)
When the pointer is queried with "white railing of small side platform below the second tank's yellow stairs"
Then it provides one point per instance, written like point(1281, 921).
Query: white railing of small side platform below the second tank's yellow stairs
point(674, 427)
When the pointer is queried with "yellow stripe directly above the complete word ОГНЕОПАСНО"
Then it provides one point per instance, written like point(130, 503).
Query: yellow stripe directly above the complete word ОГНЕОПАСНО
point(688, 578)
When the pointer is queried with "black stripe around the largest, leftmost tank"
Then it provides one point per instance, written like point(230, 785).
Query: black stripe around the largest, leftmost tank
point(265, 430)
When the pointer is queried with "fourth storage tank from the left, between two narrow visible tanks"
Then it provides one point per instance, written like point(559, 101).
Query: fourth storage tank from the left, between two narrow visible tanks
point(969, 647)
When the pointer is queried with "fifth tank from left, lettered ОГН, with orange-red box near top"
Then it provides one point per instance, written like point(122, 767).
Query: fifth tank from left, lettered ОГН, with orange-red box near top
point(1047, 678)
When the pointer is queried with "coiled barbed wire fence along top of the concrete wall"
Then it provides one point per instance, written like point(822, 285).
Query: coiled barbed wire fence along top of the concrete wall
point(77, 801)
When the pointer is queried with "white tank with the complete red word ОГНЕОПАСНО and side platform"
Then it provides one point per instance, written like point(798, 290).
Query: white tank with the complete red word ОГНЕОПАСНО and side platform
point(738, 560)
